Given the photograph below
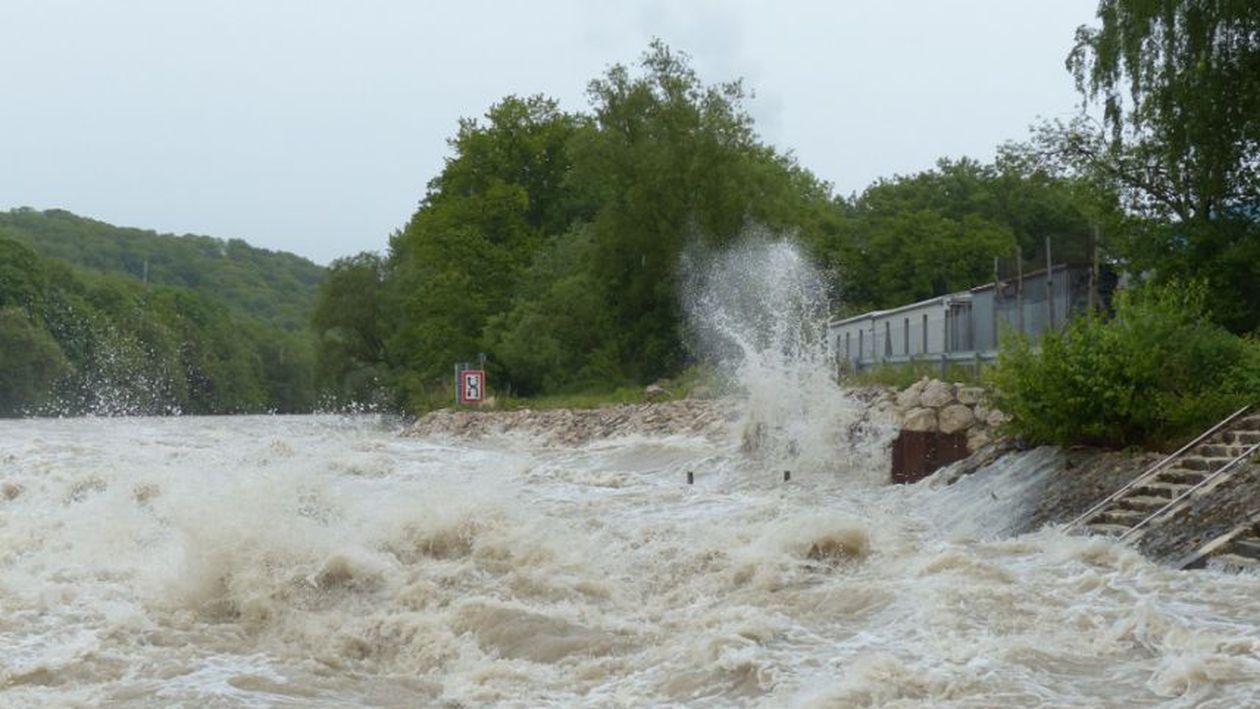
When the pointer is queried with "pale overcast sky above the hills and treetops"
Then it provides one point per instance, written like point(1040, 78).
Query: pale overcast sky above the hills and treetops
point(313, 125)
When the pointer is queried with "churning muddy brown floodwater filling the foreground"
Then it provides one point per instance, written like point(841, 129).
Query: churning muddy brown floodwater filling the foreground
point(322, 561)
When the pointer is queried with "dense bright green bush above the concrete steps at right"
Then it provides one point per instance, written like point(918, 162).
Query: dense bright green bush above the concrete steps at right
point(1155, 373)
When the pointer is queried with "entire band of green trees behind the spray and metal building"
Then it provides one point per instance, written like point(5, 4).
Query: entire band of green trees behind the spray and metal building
point(553, 241)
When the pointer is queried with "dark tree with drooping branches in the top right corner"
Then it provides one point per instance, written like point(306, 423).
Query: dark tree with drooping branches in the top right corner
point(1180, 88)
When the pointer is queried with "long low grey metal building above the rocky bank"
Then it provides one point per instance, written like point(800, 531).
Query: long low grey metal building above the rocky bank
point(965, 327)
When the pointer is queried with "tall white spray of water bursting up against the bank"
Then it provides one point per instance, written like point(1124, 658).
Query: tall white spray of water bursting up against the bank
point(759, 312)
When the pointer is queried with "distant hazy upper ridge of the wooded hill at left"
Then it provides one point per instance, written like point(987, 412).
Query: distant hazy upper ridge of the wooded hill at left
point(277, 288)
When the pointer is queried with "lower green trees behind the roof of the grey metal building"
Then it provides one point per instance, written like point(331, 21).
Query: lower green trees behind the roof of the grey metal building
point(936, 232)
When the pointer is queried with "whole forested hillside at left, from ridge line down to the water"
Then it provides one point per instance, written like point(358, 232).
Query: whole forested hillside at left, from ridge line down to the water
point(220, 328)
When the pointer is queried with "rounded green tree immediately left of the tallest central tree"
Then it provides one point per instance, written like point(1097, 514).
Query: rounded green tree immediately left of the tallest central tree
point(457, 263)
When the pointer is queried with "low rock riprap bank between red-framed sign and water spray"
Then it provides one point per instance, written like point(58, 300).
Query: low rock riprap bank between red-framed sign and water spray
point(571, 428)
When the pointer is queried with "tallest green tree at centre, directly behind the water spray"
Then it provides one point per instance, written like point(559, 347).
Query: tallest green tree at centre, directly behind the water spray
point(671, 162)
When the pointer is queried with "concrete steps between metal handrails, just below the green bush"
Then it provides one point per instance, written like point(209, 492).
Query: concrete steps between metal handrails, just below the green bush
point(1166, 488)
